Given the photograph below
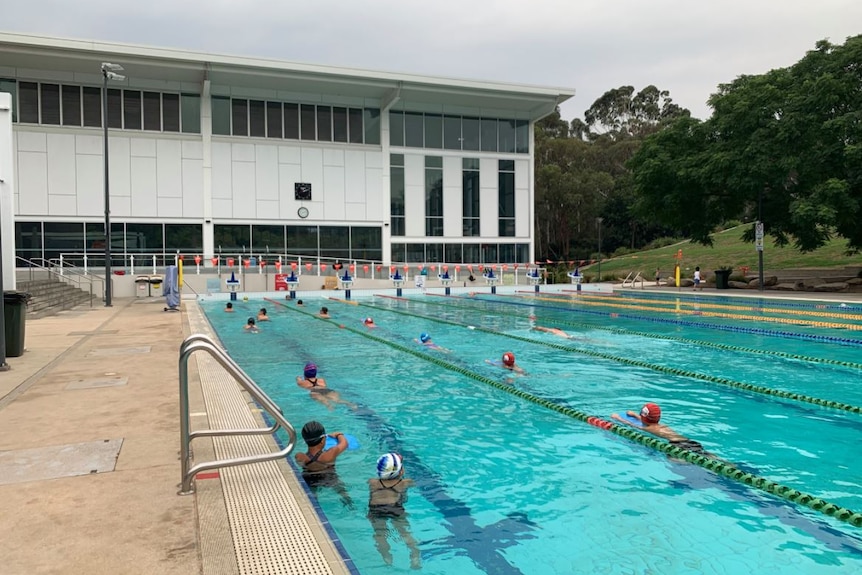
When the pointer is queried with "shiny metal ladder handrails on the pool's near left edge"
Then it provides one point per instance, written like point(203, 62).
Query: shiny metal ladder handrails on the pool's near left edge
point(200, 342)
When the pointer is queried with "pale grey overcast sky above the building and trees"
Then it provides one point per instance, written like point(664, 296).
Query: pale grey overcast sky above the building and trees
point(685, 46)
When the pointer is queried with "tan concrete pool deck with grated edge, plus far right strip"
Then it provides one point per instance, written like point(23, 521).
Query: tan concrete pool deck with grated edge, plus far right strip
point(89, 454)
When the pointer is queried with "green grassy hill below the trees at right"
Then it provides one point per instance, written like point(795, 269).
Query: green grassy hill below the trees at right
point(728, 250)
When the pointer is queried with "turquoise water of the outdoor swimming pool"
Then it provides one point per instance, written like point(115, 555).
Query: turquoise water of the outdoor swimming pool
point(504, 485)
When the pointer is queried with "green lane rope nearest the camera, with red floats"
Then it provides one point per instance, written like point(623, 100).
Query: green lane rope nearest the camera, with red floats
point(715, 465)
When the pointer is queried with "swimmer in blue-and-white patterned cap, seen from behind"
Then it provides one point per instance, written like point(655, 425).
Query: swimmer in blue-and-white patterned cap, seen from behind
point(387, 493)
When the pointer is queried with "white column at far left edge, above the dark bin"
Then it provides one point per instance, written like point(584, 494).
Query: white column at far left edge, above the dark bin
point(7, 188)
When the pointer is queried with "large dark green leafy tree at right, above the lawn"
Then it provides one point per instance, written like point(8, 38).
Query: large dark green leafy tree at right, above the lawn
point(784, 144)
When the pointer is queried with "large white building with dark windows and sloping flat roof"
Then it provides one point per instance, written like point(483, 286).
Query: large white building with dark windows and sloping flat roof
point(218, 154)
